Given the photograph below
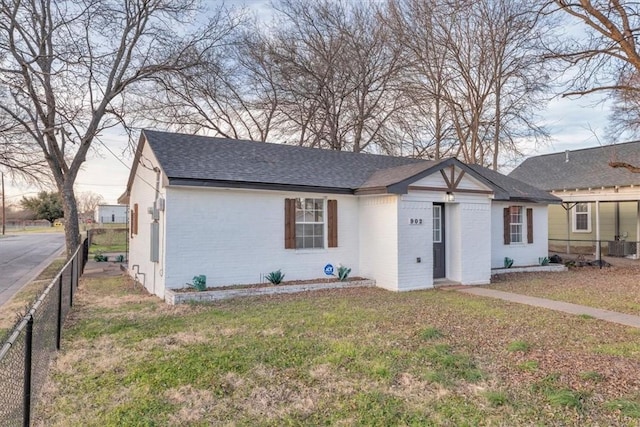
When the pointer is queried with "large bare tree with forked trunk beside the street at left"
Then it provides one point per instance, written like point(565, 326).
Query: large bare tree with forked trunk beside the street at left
point(69, 68)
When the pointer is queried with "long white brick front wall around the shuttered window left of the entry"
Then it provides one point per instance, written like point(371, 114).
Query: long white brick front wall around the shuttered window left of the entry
point(235, 236)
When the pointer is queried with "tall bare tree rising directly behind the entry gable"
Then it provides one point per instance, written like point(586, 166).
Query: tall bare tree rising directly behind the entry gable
point(473, 76)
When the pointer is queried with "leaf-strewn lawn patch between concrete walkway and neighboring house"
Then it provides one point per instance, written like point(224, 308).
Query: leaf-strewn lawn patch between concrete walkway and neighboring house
point(609, 288)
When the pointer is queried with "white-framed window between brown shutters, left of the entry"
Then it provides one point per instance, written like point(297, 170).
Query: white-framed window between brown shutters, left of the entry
point(309, 223)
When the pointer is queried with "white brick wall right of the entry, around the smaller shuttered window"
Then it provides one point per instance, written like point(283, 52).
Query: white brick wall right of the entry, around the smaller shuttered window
point(522, 253)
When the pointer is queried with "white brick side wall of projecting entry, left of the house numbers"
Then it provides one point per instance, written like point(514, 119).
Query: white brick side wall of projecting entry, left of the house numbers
point(379, 239)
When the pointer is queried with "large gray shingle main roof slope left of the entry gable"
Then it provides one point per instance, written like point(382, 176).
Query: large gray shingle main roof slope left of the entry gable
point(198, 157)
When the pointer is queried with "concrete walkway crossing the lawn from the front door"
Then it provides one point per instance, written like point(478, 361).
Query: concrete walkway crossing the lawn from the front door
point(609, 316)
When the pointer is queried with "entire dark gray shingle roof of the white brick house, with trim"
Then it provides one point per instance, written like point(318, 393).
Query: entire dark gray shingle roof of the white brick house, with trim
point(196, 160)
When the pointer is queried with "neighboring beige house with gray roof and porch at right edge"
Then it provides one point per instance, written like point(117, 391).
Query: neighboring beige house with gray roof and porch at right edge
point(600, 203)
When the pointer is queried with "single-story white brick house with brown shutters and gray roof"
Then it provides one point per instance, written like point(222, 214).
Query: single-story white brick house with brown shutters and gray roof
point(237, 210)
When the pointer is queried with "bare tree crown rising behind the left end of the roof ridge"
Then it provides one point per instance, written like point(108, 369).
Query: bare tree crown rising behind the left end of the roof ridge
point(229, 94)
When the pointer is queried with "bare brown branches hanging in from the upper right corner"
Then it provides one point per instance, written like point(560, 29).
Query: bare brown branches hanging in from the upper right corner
point(602, 55)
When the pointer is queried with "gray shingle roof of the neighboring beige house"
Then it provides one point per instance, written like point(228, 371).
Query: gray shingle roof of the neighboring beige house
point(579, 169)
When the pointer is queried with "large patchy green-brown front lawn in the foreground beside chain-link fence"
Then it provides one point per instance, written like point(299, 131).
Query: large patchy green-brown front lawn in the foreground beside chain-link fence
point(343, 357)
